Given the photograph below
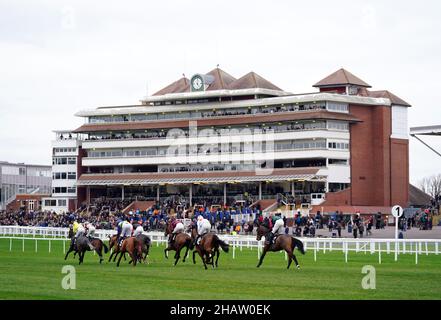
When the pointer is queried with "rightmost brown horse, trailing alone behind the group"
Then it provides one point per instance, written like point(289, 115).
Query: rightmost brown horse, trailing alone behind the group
point(282, 242)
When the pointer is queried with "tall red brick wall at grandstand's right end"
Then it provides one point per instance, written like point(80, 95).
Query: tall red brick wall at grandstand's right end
point(379, 164)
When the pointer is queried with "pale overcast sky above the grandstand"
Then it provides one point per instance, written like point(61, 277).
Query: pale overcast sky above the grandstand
point(58, 57)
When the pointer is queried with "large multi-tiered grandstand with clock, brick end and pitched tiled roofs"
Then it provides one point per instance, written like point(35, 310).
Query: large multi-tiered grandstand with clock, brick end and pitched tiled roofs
point(226, 138)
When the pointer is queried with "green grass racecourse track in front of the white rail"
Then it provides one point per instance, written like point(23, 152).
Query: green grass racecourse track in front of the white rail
point(31, 275)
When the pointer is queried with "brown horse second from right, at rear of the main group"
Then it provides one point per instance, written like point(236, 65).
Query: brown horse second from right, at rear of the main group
point(208, 247)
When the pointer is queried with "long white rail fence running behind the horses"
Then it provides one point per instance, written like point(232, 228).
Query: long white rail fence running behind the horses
point(379, 247)
